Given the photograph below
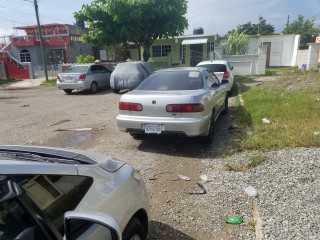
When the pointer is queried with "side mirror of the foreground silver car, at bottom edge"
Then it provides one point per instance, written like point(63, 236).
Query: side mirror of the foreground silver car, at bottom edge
point(87, 225)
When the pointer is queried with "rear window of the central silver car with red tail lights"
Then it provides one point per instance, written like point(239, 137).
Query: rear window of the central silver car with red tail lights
point(172, 81)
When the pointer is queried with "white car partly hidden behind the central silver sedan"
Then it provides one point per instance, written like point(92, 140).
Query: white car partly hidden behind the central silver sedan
point(222, 69)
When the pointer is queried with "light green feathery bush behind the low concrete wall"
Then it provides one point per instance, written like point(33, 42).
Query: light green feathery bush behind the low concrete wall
point(237, 43)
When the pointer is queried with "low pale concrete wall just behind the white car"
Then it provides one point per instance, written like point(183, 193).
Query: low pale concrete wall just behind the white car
point(250, 64)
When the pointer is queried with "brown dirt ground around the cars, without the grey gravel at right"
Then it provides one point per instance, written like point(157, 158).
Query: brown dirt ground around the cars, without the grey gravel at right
point(48, 117)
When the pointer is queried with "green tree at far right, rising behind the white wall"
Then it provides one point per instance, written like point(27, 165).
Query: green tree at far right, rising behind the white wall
point(308, 32)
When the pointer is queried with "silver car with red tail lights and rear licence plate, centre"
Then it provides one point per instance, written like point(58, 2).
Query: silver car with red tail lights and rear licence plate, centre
point(177, 101)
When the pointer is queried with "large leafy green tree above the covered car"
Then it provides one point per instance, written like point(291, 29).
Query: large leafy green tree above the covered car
point(113, 22)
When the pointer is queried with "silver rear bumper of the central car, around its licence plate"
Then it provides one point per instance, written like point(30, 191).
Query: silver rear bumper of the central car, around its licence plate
point(177, 126)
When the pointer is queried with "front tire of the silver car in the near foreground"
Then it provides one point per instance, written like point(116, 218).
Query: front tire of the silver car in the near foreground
point(134, 230)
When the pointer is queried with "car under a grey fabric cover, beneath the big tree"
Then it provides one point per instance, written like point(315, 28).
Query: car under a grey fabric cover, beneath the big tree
point(128, 75)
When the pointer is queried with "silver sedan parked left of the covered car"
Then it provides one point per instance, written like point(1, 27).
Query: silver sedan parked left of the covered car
point(85, 77)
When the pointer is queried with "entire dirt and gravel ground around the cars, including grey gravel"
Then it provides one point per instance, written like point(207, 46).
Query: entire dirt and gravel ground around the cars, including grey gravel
point(288, 204)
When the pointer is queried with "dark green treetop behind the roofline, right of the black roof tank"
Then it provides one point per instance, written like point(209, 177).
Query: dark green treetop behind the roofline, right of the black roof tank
point(261, 28)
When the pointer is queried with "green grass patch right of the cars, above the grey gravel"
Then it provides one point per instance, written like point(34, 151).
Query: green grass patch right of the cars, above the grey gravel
point(291, 103)
